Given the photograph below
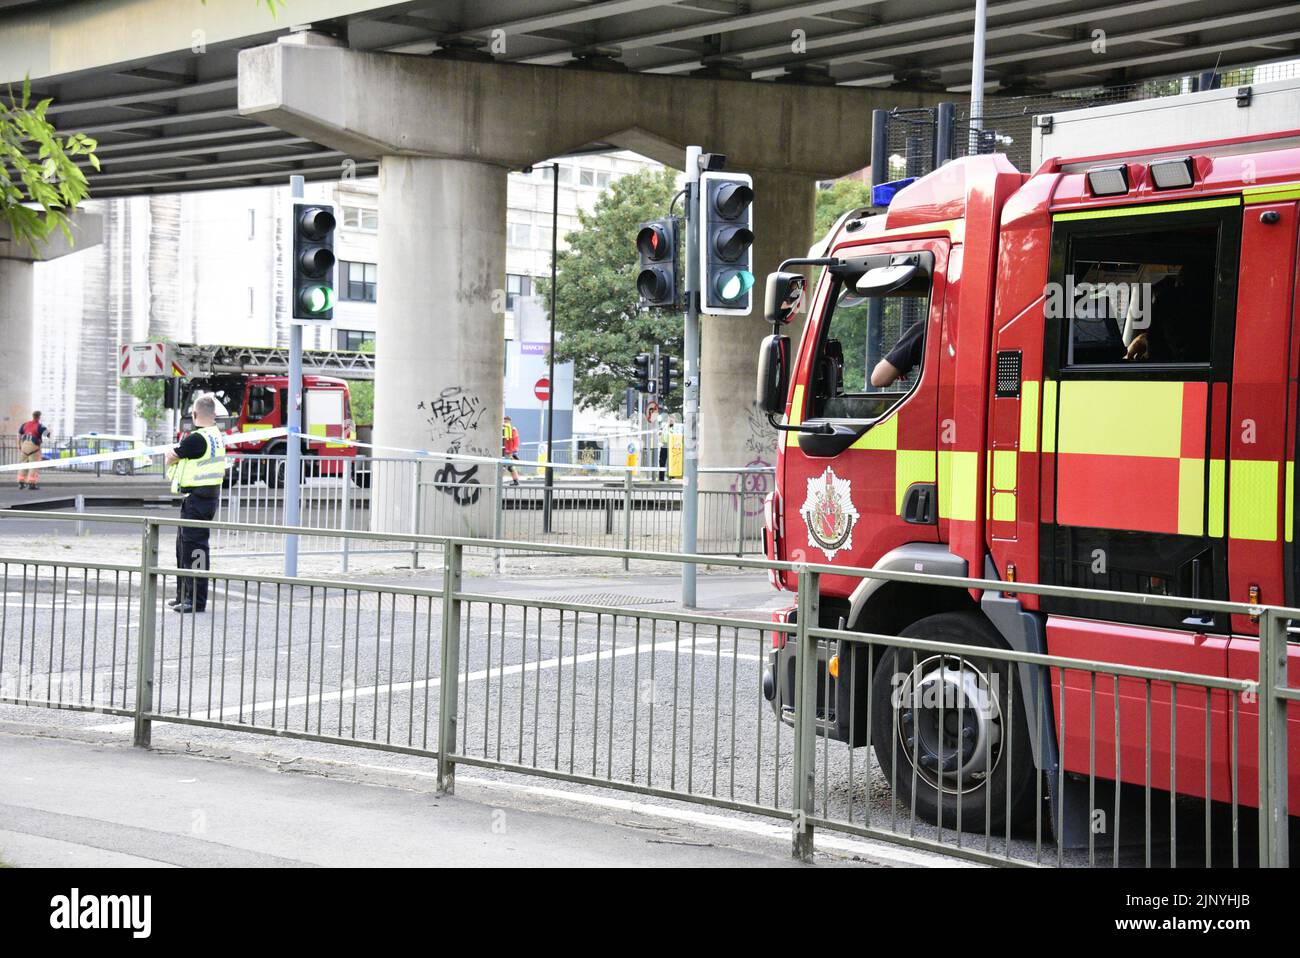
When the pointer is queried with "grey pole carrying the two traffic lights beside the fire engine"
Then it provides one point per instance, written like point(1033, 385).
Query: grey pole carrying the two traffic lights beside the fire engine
point(691, 384)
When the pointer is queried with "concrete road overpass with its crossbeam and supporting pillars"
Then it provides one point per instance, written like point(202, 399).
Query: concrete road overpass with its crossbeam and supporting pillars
point(441, 99)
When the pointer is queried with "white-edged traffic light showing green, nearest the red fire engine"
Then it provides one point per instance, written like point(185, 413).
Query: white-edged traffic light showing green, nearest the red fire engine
point(726, 241)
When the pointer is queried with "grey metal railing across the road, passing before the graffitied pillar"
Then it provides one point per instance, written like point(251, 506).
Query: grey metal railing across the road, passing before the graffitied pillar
point(616, 509)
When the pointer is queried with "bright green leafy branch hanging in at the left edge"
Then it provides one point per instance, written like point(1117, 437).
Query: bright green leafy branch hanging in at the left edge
point(41, 179)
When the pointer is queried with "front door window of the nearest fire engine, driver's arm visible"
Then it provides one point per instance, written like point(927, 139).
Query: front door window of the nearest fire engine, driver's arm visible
point(869, 340)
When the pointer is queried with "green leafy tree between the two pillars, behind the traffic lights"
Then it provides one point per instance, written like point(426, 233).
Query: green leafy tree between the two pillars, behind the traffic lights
point(597, 317)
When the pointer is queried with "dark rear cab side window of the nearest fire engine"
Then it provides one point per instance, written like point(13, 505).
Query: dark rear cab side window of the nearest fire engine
point(1136, 298)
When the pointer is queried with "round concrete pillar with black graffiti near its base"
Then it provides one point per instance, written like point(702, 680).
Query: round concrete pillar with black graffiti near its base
point(439, 387)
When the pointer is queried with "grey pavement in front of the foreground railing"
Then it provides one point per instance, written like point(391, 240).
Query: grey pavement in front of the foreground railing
point(93, 803)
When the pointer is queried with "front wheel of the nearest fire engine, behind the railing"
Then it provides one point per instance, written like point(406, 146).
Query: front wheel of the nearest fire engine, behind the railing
point(948, 727)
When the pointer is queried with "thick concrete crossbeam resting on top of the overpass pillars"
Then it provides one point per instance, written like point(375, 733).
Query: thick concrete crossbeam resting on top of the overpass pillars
point(513, 115)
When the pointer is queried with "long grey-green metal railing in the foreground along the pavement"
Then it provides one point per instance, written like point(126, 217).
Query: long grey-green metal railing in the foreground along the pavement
point(599, 691)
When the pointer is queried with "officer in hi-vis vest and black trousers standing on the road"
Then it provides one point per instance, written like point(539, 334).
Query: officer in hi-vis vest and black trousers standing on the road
point(197, 467)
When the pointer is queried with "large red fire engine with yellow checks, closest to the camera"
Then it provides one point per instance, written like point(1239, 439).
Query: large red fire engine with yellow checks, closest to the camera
point(1080, 376)
